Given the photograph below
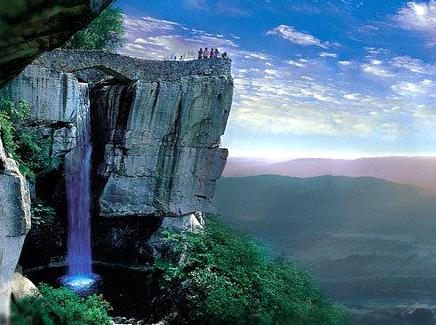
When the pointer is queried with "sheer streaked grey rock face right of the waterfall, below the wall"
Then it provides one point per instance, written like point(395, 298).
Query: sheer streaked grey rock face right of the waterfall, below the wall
point(161, 143)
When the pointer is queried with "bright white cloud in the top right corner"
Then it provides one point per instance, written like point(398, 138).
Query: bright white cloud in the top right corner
point(419, 17)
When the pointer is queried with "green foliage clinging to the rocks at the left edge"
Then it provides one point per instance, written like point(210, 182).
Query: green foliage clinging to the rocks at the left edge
point(26, 146)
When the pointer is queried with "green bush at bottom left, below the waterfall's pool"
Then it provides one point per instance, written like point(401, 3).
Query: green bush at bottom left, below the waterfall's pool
point(60, 306)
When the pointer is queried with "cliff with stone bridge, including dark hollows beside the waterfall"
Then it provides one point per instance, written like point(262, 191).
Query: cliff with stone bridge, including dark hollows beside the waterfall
point(156, 143)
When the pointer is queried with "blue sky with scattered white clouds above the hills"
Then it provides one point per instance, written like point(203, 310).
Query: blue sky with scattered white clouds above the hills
point(336, 79)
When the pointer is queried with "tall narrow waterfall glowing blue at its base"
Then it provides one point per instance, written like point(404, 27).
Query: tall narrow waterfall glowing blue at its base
point(78, 182)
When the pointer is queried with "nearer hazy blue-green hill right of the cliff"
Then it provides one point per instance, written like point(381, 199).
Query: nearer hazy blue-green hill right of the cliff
point(364, 238)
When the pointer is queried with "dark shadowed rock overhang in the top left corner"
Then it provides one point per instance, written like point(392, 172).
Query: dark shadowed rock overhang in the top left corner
point(28, 28)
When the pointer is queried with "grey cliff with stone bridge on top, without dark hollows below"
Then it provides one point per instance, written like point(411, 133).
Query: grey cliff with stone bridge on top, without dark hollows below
point(156, 139)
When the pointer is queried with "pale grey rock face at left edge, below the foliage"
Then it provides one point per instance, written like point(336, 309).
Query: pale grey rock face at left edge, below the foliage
point(15, 223)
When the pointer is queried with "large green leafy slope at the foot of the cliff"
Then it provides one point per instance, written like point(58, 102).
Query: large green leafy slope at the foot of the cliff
point(225, 278)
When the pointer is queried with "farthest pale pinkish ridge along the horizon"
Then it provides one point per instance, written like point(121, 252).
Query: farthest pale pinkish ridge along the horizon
point(419, 171)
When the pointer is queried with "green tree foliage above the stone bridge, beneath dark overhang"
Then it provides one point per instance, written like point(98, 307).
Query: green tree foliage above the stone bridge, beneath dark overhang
point(106, 32)
